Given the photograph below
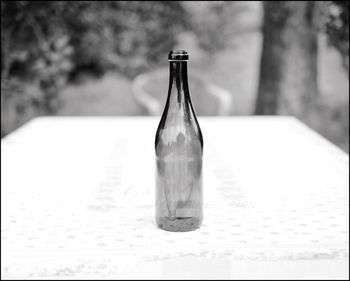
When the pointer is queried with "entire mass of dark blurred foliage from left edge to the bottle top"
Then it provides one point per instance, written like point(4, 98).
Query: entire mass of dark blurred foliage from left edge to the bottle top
point(45, 43)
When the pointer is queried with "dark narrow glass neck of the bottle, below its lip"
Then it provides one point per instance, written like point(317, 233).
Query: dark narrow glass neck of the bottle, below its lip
point(178, 84)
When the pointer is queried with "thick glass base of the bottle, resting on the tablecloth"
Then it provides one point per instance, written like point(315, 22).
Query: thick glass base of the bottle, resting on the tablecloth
point(179, 224)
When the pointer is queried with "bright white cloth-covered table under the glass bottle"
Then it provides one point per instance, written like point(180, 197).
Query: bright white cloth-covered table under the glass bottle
point(77, 201)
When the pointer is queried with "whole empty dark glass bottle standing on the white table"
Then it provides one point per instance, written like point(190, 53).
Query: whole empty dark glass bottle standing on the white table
point(179, 150)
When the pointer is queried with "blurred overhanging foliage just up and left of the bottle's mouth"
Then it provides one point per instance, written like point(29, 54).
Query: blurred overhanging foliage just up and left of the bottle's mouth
point(129, 36)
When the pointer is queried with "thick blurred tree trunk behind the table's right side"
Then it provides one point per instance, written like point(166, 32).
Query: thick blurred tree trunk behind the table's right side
point(288, 70)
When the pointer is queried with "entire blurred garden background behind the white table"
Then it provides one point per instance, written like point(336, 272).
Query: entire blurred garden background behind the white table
point(109, 58)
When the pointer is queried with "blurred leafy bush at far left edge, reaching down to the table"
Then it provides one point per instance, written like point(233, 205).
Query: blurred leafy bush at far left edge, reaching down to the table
point(35, 59)
